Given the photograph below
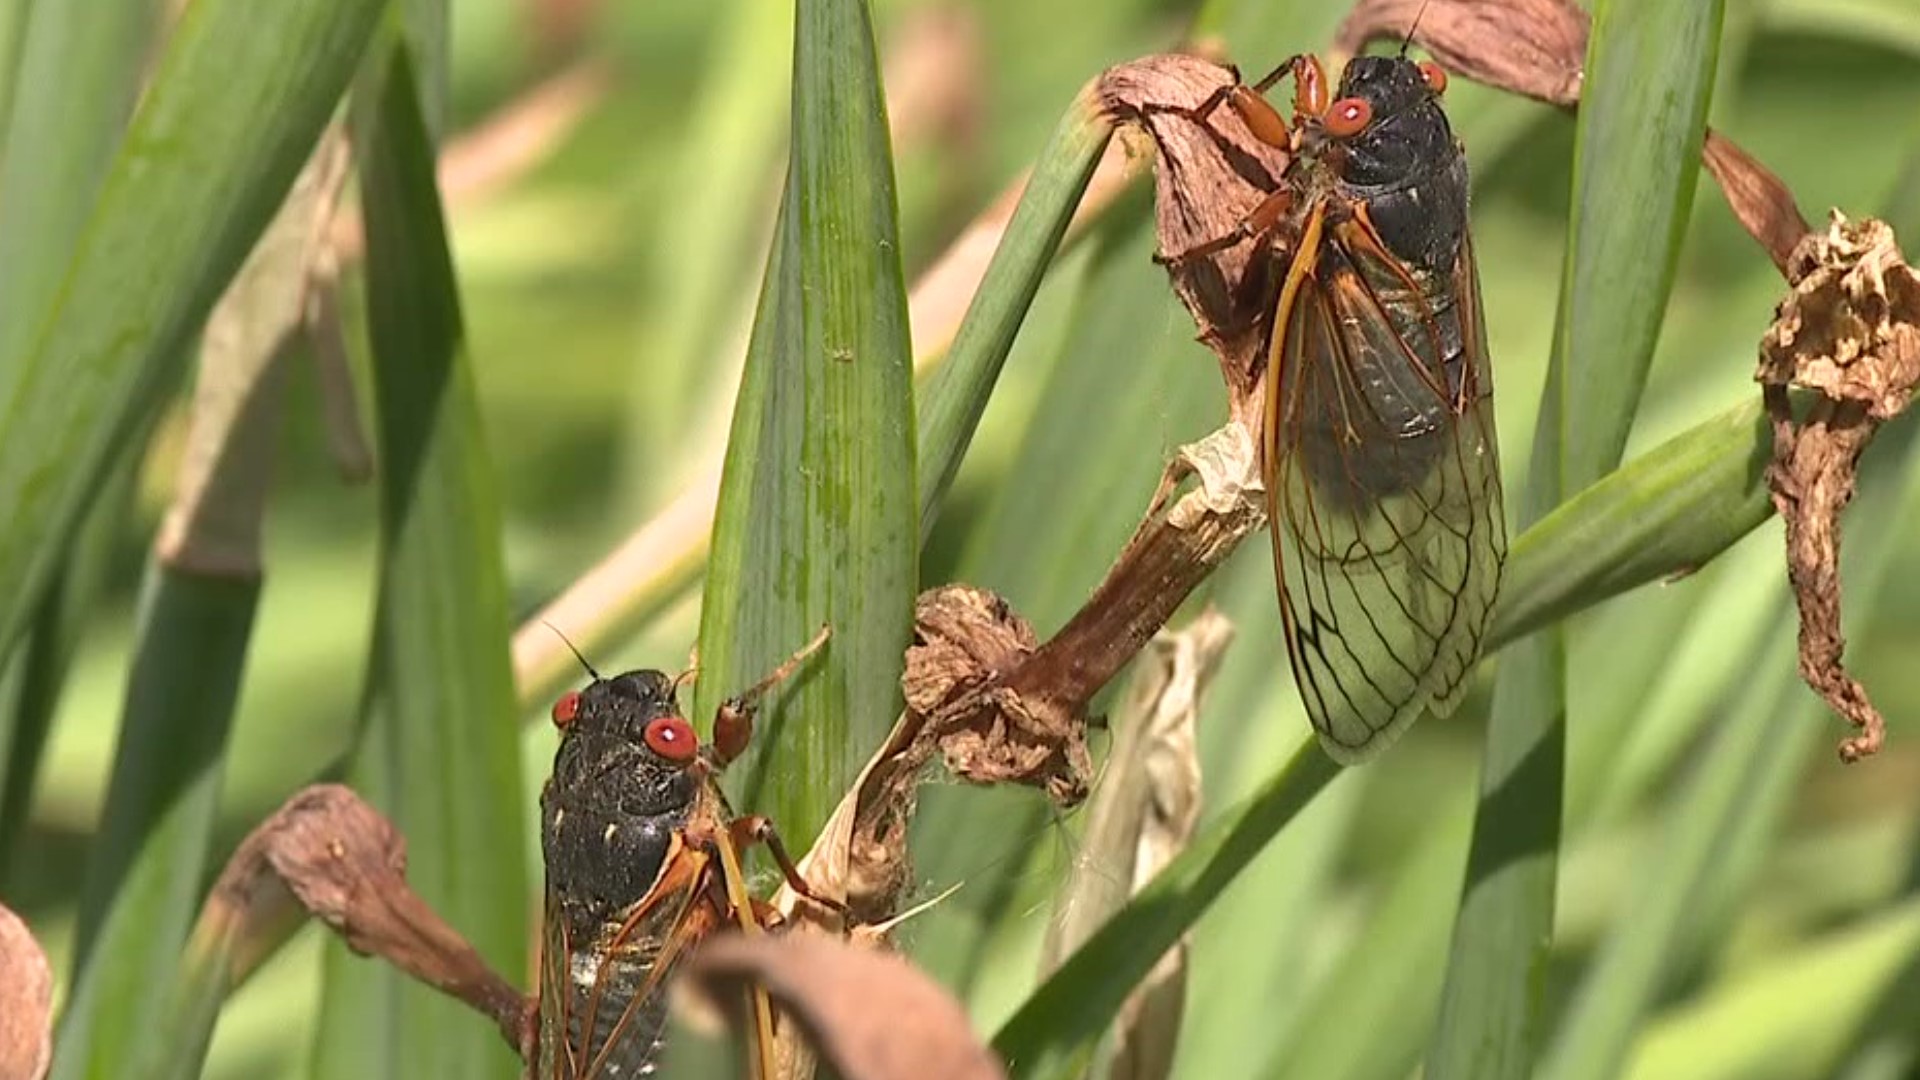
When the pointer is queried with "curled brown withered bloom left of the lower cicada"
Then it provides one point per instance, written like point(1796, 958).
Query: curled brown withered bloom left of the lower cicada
point(345, 864)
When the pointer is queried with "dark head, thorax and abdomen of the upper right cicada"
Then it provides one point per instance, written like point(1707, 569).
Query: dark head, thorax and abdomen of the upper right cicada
point(1391, 201)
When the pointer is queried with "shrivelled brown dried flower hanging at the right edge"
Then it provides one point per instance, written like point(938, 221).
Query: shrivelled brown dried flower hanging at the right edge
point(1850, 333)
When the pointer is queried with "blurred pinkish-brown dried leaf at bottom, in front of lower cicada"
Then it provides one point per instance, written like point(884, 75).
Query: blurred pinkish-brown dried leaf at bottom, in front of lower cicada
point(869, 1014)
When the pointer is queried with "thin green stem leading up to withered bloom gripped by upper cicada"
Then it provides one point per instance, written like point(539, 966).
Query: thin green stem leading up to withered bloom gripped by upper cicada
point(957, 393)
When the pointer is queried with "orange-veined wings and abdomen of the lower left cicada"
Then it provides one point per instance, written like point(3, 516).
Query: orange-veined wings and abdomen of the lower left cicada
point(604, 989)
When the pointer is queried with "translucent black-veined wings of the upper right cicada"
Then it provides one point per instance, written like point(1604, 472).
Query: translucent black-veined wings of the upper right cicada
point(1383, 485)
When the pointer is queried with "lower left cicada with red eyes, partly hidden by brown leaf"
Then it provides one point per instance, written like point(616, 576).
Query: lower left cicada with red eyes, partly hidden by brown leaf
point(642, 858)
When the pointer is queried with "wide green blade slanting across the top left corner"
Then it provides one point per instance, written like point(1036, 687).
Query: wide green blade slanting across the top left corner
point(229, 118)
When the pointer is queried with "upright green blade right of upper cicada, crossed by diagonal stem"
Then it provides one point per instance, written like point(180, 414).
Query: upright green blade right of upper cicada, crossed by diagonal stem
point(1637, 155)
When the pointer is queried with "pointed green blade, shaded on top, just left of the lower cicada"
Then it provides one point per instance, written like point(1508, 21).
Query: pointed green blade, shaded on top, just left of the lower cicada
point(439, 750)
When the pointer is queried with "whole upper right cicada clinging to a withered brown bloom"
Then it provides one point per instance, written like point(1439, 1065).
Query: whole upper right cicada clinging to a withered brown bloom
point(1378, 447)
